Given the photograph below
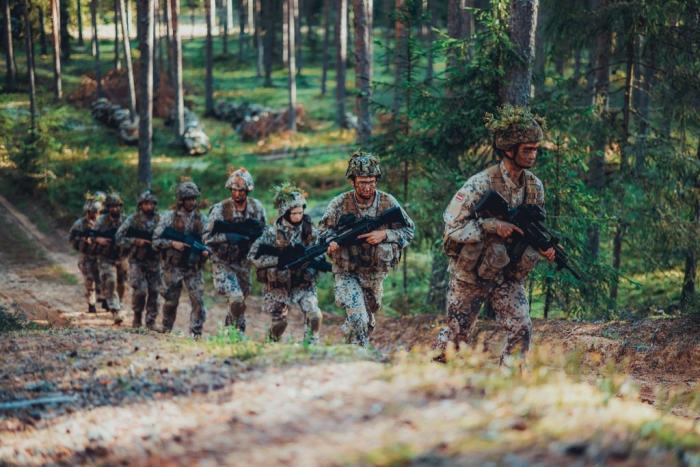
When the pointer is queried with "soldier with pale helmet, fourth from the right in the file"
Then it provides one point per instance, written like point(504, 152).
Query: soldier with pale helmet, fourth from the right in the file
point(231, 269)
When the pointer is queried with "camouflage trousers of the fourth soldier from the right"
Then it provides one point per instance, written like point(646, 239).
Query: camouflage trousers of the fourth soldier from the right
point(233, 281)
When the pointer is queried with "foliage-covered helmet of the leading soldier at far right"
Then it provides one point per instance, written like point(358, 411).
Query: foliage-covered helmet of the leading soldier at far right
point(514, 125)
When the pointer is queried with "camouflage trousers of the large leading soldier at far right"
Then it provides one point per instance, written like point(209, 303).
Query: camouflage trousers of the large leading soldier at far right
point(508, 301)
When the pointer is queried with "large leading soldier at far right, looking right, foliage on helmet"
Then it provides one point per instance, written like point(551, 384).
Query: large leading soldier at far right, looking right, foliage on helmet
point(478, 259)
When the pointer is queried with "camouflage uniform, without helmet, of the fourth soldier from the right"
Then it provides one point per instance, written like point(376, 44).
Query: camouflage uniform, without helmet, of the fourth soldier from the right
point(231, 266)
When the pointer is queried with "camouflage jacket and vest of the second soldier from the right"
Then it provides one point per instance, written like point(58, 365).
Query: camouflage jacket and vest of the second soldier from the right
point(365, 258)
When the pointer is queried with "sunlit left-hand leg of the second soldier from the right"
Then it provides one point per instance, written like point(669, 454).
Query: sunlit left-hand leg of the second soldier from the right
point(349, 296)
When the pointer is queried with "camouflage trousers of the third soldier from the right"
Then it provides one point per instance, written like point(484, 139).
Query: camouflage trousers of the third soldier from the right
point(277, 303)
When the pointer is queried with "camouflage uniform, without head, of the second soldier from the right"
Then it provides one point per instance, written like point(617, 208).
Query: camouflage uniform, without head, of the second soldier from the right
point(360, 270)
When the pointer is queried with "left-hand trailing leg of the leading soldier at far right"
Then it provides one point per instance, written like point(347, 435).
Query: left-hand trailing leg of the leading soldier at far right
point(464, 301)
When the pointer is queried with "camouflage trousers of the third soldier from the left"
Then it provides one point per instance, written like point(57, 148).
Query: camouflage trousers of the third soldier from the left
point(146, 281)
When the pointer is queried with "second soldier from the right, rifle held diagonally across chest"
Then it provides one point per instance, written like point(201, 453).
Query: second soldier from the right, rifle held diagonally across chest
point(360, 269)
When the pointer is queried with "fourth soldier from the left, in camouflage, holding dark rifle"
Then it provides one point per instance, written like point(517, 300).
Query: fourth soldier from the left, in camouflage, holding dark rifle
point(177, 270)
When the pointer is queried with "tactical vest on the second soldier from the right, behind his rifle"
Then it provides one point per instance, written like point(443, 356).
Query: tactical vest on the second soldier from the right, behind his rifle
point(364, 258)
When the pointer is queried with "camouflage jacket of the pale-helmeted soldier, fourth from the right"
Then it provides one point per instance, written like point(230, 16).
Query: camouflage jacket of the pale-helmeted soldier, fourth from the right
point(225, 211)
